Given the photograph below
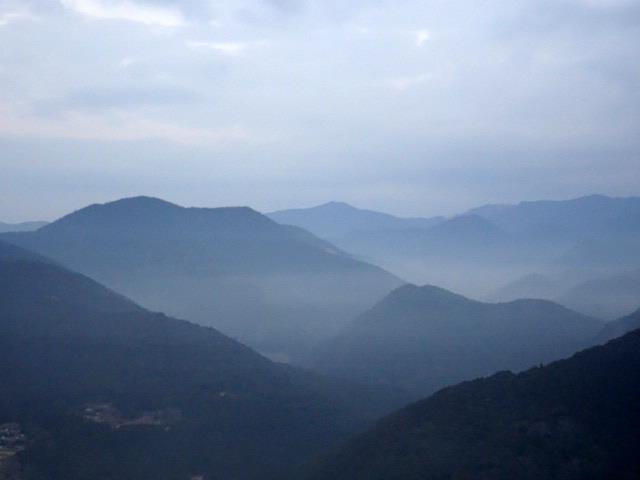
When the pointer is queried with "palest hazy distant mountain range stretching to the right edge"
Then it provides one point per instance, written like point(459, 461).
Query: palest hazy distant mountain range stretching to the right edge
point(487, 247)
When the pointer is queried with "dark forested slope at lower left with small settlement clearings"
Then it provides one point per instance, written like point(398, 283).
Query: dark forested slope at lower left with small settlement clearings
point(102, 389)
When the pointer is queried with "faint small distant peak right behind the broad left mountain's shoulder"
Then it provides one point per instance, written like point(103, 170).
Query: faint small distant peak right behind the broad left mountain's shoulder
point(335, 220)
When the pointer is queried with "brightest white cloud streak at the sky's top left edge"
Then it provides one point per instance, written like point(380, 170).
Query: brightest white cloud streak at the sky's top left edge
point(126, 10)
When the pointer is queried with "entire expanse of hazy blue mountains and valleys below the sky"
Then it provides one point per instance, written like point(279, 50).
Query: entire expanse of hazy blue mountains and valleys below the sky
point(145, 340)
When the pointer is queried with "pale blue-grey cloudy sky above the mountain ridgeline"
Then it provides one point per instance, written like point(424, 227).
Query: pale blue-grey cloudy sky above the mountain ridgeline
point(414, 107)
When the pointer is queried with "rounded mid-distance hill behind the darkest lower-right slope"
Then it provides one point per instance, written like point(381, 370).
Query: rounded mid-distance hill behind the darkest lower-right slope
point(424, 338)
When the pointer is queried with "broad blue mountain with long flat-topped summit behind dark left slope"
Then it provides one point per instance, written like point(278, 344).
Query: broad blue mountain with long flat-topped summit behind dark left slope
point(277, 288)
